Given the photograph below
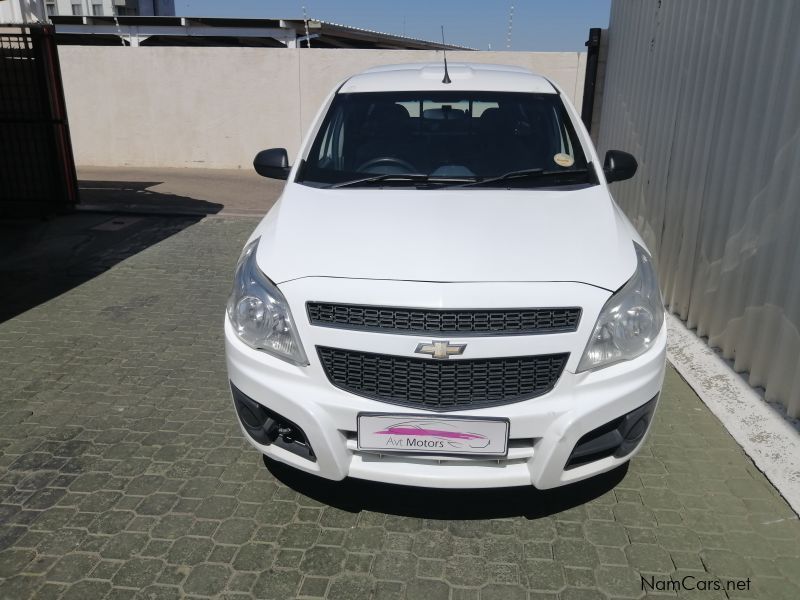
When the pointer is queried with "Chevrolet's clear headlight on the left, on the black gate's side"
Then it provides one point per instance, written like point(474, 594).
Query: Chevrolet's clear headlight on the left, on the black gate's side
point(259, 313)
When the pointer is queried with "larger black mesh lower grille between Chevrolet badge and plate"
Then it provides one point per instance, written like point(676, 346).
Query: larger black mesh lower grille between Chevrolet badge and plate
point(432, 384)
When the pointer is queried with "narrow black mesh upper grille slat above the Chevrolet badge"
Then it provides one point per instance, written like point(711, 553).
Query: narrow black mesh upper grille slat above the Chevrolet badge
point(518, 321)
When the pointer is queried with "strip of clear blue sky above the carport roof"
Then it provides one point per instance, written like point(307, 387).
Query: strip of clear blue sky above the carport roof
point(543, 25)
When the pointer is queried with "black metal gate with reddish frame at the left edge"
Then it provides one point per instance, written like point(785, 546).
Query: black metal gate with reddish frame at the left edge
point(37, 169)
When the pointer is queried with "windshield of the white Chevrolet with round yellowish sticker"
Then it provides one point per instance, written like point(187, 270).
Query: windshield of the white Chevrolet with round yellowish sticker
point(438, 138)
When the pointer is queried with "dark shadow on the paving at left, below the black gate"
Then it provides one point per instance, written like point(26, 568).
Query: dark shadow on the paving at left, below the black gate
point(43, 258)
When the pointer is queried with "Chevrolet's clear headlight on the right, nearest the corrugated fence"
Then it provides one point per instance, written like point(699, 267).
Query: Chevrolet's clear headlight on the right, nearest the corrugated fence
point(630, 320)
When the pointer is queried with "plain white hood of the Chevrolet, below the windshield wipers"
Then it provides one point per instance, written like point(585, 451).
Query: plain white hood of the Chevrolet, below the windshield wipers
point(447, 235)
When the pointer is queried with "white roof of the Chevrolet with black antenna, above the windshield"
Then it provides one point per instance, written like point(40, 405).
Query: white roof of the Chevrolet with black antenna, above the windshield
point(463, 76)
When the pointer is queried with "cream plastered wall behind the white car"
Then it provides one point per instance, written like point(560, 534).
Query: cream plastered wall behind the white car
point(216, 107)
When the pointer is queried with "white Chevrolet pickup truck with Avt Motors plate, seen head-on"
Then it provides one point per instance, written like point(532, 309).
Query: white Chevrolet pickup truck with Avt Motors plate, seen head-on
point(446, 294)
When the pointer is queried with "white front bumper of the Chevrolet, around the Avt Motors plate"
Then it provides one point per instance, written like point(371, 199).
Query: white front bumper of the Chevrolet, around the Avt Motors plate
point(544, 431)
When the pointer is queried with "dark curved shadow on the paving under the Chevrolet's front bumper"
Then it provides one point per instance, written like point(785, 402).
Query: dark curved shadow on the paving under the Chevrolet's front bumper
point(355, 495)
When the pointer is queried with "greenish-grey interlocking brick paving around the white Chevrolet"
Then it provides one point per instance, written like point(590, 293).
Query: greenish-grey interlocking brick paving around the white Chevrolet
point(123, 475)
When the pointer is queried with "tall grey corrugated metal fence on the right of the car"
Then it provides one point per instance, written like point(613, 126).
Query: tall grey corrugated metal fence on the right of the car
point(706, 95)
